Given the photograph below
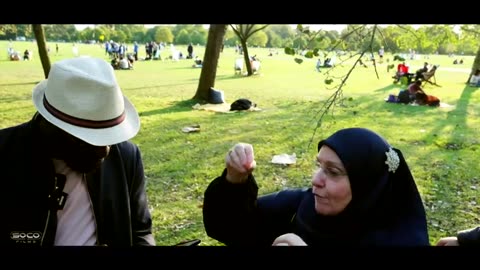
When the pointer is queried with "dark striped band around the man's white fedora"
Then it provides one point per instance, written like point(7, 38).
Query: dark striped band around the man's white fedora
point(82, 122)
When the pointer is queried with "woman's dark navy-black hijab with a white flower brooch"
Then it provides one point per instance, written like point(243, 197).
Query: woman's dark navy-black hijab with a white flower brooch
point(384, 192)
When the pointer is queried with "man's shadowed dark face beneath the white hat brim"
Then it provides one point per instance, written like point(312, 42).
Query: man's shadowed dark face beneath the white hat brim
point(77, 154)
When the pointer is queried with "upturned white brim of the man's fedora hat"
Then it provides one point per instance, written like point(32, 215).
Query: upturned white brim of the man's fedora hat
point(98, 137)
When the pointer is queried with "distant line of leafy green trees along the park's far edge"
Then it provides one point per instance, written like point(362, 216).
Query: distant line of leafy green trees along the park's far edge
point(428, 39)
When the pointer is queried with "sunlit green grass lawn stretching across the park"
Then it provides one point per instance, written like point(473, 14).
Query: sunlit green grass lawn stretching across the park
point(440, 144)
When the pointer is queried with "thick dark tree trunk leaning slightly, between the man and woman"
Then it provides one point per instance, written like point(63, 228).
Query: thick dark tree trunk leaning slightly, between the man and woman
point(216, 33)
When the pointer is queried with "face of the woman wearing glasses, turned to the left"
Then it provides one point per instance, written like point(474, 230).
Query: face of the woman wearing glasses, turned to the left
point(330, 182)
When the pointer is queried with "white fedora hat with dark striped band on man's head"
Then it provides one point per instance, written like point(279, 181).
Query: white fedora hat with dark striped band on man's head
point(82, 97)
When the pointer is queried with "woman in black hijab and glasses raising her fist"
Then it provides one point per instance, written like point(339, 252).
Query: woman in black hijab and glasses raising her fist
point(363, 194)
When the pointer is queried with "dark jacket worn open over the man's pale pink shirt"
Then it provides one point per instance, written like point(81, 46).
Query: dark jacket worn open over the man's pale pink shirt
point(117, 192)
